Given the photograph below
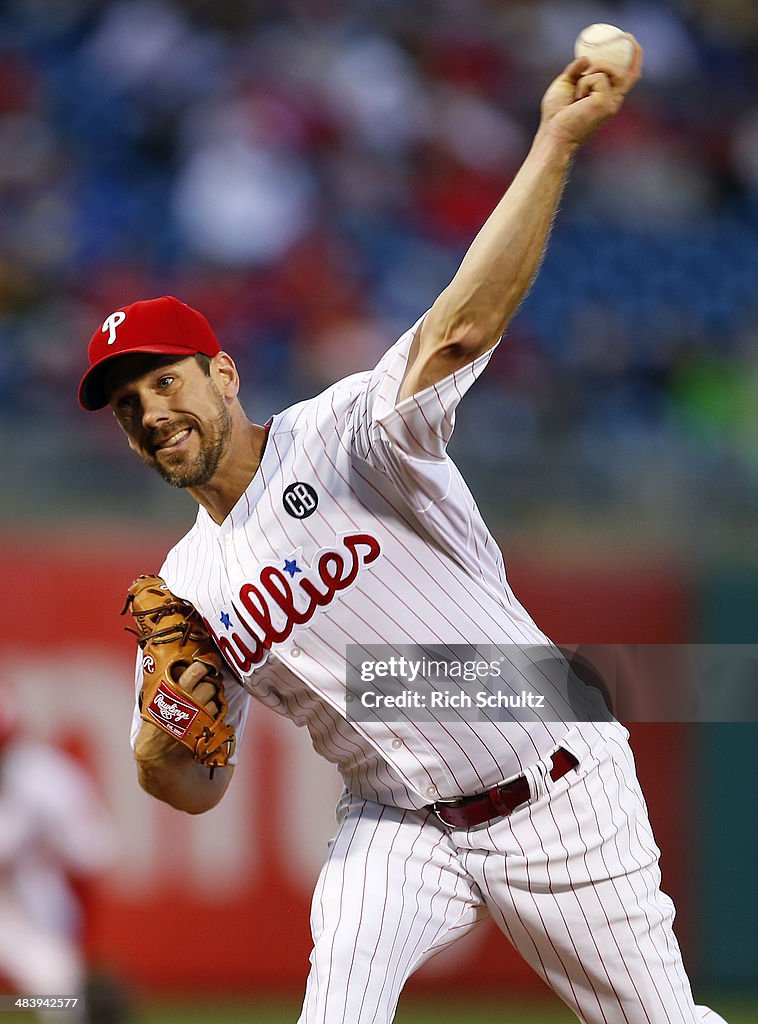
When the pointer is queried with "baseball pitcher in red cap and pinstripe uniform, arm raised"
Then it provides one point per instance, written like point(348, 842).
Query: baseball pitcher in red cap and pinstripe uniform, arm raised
point(343, 527)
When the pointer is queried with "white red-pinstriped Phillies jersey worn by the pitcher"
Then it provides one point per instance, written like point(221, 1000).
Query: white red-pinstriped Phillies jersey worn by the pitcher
point(396, 552)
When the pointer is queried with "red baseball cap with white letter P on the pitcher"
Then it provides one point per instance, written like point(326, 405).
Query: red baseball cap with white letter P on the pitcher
point(162, 326)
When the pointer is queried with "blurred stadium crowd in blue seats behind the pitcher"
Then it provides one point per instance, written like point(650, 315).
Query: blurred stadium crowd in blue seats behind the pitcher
point(309, 174)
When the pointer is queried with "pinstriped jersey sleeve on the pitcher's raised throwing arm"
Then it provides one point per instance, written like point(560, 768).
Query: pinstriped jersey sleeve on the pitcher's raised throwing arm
point(408, 440)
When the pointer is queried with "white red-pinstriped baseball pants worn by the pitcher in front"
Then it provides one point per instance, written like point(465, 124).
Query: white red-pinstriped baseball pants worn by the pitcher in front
point(572, 879)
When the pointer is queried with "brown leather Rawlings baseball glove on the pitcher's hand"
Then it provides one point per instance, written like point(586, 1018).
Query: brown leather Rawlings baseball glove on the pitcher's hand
point(173, 635)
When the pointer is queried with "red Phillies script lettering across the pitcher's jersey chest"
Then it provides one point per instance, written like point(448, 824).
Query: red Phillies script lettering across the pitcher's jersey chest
point(271, 608)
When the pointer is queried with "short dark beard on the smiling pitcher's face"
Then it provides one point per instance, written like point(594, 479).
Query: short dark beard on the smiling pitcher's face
point(181, 472)
